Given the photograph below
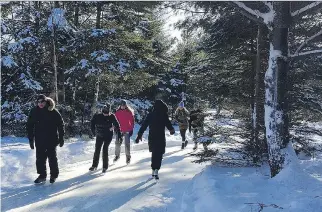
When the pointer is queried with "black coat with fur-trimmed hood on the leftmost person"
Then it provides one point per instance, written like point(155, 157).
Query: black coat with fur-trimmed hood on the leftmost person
point(45, 126)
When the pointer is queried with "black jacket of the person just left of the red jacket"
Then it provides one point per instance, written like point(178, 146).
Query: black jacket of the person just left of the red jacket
point(101, 125)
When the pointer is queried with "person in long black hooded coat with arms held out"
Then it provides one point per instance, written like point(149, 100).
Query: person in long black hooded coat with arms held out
point(156, 120)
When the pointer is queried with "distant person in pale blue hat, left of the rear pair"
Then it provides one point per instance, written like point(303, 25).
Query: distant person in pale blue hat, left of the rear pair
point(182, 117)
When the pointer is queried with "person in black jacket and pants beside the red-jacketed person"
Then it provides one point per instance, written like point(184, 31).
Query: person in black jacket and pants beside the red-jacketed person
point(102, 125)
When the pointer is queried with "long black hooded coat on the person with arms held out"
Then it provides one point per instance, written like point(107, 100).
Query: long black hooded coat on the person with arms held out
point(157, 120)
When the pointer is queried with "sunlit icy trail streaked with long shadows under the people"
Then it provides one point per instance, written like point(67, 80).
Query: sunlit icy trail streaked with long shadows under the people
point(122, 188)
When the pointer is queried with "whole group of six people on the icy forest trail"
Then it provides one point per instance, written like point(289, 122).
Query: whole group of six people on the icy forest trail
point(45, 128)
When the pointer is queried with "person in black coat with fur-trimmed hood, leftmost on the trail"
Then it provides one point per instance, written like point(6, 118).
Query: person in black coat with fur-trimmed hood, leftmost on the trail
point(45, 128)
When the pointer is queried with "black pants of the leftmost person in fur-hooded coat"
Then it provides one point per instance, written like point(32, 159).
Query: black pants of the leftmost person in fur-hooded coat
point(41, 157)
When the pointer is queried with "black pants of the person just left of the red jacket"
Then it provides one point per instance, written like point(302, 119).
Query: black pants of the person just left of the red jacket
point(105, 142)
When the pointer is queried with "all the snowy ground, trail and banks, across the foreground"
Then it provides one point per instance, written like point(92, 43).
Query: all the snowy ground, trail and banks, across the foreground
point(183, 186)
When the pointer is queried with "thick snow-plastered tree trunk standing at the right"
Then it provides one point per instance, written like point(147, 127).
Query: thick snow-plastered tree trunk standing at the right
point(276, 120)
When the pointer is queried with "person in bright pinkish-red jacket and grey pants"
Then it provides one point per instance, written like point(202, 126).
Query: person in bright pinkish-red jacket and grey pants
point(125, 116)
